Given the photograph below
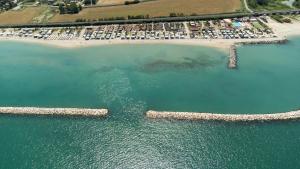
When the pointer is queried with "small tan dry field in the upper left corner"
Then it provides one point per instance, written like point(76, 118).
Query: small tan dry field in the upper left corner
point(21, 16)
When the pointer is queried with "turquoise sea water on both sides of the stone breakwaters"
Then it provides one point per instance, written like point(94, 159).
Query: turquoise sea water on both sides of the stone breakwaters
point(129, 80)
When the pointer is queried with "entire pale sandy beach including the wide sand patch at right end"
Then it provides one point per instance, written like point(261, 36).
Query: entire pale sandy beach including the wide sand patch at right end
point(283, 31)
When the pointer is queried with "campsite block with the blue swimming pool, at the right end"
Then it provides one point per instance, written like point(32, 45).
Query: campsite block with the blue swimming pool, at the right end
point(244, 28)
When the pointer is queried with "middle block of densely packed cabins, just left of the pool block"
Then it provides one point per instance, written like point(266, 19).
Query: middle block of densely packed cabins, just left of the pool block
point(137, 31)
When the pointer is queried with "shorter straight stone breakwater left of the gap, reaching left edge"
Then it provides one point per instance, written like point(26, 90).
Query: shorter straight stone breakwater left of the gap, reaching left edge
point(54, 111)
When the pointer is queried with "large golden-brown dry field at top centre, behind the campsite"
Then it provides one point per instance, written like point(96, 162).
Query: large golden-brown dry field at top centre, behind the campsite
point(155, 9)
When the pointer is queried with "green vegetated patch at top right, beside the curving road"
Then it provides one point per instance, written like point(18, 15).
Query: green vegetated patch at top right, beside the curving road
point(271, 5)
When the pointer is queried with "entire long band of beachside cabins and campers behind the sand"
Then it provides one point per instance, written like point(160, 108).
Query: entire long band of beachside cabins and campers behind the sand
point(245, 28)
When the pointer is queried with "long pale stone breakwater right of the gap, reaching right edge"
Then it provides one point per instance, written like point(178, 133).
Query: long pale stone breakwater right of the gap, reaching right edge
point(224, 117)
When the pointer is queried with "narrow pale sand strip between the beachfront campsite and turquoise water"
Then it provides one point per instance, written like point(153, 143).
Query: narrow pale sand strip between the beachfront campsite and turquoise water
point(222, 44)
